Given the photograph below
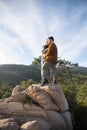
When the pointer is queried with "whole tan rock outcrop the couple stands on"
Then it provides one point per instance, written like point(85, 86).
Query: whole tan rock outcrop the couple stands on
point(35, 108)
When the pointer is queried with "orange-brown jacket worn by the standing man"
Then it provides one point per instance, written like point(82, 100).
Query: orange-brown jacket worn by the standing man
point(51, 54)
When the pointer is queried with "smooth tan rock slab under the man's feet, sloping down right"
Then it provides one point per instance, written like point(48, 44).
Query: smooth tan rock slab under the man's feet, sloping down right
point(57, 96)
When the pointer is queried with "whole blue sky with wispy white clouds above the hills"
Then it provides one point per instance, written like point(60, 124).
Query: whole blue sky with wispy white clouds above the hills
point(26, 24)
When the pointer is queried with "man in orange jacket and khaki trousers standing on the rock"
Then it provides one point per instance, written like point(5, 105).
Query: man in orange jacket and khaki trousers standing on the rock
point(50, 61)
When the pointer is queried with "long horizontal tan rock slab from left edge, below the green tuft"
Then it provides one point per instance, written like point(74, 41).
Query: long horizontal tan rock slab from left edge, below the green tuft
point(20, 109)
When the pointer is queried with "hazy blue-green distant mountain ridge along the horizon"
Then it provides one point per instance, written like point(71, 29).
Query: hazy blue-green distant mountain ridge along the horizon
point(13, 74)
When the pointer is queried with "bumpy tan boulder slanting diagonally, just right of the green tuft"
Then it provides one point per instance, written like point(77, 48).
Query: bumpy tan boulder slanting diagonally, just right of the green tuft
point(42, 97)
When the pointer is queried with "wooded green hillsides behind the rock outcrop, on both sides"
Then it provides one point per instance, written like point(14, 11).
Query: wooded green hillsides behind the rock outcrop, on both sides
point(73, 82)
